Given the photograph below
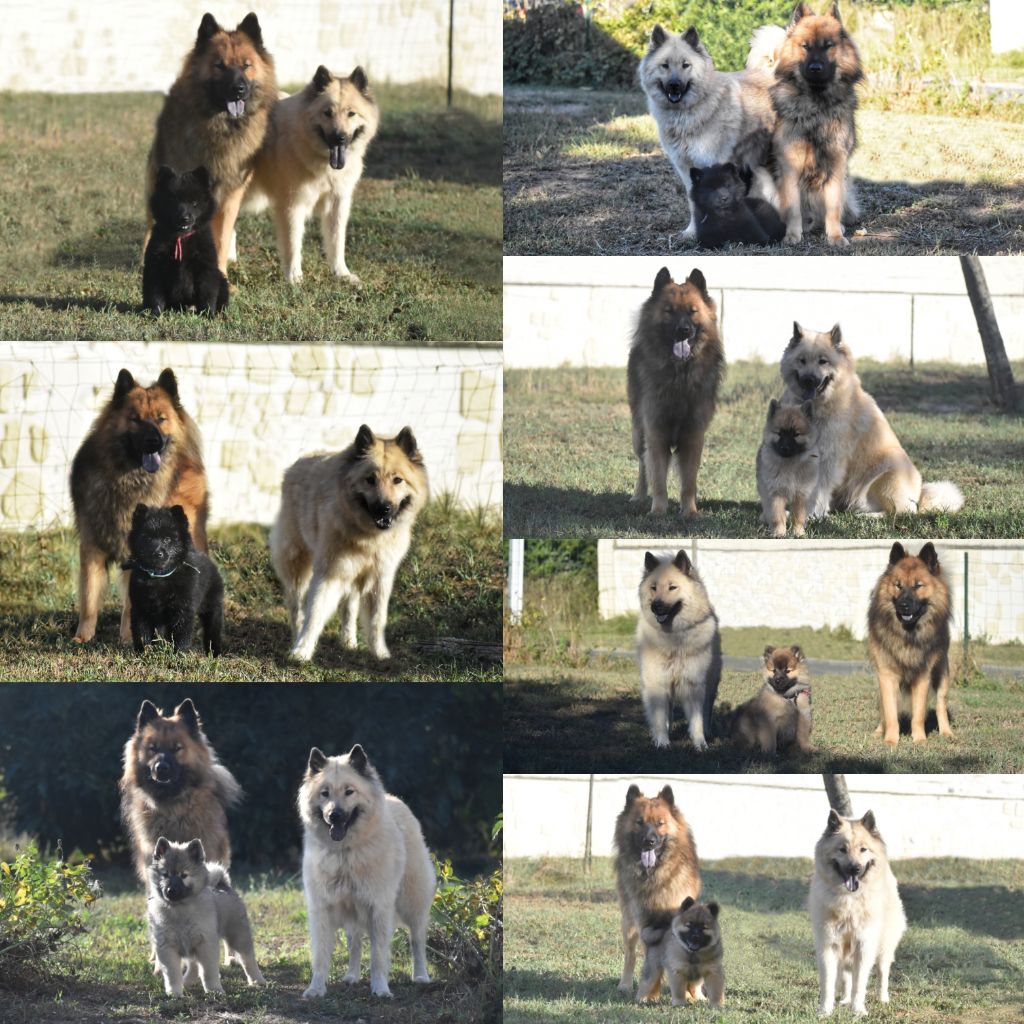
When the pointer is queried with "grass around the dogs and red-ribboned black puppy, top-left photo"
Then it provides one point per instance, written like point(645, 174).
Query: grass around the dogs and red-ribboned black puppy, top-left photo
point(425, 233)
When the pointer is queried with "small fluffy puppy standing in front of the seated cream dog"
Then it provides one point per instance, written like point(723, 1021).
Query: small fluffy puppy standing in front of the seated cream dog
point(788, 466)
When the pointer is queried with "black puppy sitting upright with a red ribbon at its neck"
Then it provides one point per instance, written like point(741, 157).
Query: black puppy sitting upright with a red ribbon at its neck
point(181, 269)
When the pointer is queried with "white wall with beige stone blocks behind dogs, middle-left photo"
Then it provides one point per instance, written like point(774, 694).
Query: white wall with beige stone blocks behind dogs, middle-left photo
point(259, 407)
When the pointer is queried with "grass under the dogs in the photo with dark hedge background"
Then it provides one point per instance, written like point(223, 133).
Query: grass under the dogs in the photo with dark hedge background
point(110, 978)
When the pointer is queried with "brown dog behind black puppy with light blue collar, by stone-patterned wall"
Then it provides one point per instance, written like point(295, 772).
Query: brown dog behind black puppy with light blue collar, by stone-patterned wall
point(144, 449)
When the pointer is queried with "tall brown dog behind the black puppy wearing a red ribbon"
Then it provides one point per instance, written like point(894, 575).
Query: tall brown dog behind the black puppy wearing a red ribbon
point(217, 116)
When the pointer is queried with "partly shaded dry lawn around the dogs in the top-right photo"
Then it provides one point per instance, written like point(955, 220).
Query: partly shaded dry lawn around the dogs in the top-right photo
point(585, 175)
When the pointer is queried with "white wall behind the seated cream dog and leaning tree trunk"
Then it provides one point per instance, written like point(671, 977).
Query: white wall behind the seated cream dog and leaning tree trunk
point(580, 311)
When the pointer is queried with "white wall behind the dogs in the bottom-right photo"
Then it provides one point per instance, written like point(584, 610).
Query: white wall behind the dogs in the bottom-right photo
point(775, 817)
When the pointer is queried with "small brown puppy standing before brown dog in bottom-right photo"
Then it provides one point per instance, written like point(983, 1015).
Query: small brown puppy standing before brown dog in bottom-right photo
point(689, 951)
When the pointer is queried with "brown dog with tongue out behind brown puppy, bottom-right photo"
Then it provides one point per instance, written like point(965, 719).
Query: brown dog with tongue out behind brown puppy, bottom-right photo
point(656, 867)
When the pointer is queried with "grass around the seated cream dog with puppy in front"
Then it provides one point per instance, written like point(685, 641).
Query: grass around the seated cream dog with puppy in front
point(570, 468)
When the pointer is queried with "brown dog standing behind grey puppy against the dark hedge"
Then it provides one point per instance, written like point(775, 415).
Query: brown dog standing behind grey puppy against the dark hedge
point(174, 786)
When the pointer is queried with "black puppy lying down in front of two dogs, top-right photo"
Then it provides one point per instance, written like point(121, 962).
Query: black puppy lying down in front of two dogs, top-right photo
point(726, 211)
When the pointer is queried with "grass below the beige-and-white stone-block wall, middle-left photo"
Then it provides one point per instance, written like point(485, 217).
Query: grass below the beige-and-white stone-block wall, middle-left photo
point(449, 586)
